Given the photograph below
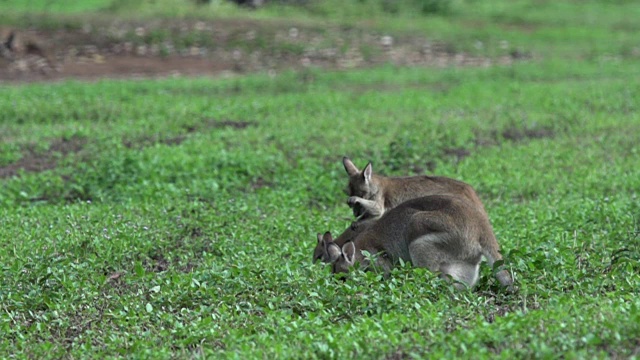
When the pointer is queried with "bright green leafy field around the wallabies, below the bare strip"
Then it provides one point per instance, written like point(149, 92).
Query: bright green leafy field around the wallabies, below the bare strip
point(177, 217)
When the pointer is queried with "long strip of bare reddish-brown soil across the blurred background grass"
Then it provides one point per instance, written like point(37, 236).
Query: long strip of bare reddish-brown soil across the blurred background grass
point(173, 48)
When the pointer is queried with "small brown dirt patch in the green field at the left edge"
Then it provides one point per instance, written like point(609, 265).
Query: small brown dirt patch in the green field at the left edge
point(34, 161)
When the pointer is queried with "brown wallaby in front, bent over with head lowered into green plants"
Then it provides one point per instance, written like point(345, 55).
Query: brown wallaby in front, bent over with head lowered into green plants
point(440, 232)
